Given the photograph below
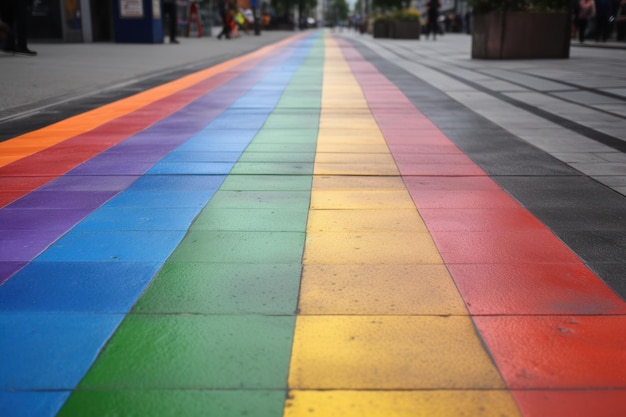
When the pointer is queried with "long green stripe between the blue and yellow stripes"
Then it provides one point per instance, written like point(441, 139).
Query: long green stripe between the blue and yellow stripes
point(212, 334)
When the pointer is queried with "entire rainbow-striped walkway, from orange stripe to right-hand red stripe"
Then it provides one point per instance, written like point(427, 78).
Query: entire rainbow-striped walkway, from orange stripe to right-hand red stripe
point(285, 234)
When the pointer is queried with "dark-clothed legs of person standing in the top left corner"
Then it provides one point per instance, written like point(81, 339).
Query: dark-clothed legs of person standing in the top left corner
point(15, 15)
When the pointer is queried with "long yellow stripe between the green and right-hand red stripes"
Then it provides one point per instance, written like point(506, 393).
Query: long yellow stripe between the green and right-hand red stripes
point(382, 329)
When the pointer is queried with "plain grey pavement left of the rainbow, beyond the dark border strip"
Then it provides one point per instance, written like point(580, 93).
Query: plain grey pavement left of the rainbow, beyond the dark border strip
point(62, 71)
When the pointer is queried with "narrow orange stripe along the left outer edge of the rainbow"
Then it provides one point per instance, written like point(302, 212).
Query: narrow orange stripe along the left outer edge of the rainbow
point(35, 141)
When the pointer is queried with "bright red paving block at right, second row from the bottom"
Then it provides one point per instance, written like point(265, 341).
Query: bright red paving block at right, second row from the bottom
point(557, 352)
